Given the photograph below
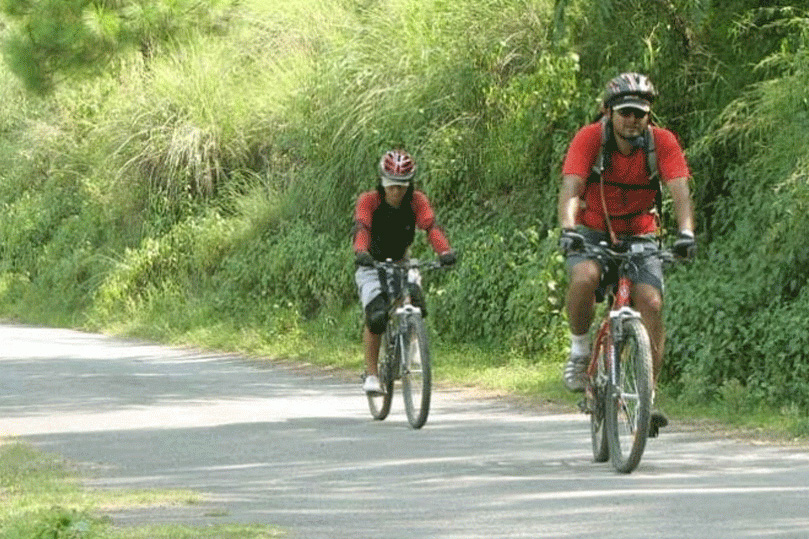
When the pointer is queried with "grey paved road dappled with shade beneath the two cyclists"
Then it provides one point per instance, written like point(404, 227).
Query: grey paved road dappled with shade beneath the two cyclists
point(297, 448)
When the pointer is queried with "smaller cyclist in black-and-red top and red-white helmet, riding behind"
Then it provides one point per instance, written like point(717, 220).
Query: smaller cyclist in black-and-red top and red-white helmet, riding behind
point(385, 222)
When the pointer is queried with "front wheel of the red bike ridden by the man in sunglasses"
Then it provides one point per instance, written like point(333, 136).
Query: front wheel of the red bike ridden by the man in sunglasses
point(629, 397)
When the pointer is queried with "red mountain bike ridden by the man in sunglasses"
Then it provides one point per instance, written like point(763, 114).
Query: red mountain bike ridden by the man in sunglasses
point(619, 381)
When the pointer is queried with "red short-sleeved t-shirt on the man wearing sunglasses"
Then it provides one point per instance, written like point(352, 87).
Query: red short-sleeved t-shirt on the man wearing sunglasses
point(628, 194)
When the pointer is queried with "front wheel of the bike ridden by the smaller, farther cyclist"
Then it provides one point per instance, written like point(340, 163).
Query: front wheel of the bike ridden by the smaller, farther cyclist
point(416, 375)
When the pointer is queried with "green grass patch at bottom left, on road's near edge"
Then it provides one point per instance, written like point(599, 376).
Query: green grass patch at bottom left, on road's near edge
point(42, 496)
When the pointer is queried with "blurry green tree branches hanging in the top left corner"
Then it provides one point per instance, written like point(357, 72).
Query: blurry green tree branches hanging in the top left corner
point(51, 39)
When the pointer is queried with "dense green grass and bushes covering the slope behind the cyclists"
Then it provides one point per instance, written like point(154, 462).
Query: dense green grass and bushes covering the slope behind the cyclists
point(212, 183)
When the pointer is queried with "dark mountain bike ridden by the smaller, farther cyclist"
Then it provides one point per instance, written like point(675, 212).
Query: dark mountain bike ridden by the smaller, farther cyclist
point(404, 351)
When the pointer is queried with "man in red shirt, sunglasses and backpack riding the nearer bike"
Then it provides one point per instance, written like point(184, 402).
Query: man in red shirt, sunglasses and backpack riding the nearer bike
point(623, 213)
